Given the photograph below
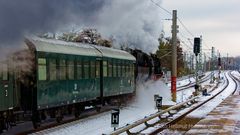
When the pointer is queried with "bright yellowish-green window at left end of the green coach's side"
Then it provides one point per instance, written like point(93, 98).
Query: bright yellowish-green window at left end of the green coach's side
point(42, 70)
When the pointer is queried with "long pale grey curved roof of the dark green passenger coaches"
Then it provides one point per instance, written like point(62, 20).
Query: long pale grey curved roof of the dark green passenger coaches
point(59, 46)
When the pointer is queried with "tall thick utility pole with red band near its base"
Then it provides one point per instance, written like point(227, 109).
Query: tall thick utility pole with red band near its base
point(174, 56)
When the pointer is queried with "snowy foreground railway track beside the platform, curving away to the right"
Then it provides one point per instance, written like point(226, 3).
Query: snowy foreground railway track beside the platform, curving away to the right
point(162, 124)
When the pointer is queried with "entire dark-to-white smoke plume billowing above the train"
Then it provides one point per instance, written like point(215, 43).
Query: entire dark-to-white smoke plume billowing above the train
point(132, 22)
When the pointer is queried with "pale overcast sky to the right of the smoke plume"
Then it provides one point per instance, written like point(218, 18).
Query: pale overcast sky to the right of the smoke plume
point(218, 21)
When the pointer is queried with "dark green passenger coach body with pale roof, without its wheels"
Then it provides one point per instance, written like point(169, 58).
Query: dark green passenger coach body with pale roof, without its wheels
point(69, 73)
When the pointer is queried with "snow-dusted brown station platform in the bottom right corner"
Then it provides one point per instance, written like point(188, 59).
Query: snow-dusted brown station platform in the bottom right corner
point(224, 119)
